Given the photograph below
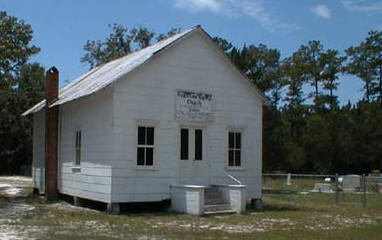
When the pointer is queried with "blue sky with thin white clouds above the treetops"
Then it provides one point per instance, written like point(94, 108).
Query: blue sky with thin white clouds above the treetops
point(61, 28)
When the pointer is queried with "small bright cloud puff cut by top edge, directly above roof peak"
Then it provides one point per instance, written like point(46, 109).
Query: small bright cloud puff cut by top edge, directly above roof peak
point(198, 5)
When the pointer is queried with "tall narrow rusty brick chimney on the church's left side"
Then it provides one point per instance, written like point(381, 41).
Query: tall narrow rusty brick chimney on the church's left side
point(51, 134)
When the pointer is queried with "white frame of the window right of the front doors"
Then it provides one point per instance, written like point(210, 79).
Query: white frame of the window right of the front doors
point(234, 149)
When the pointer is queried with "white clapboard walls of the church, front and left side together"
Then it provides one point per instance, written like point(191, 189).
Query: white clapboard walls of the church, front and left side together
point(108, 120)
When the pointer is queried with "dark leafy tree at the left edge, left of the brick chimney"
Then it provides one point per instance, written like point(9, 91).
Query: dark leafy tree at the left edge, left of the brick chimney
point(21, 86)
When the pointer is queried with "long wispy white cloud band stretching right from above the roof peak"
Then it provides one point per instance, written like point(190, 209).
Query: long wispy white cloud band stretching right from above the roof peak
point(255, 9)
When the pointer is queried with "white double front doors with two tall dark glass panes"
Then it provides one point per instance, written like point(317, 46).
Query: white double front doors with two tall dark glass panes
point(194, 165)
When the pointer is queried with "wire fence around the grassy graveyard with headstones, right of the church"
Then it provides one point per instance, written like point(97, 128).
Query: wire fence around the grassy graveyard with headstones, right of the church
point(348, 189)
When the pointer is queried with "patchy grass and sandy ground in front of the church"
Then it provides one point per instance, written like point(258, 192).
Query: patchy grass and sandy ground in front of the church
point(289, 216)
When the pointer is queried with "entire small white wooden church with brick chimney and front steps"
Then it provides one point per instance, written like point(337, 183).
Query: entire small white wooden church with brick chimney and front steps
point(176, 120)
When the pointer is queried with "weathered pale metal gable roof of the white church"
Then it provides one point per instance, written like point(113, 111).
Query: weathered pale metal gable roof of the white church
point(102, 76)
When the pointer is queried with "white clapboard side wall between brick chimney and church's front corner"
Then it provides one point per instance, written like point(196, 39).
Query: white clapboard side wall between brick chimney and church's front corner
point(93, 116)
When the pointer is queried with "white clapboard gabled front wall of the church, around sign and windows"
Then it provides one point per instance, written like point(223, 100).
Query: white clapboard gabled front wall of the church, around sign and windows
point(148, 94)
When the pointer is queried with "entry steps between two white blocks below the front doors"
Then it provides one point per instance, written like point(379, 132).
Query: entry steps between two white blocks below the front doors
point(214, 202)
